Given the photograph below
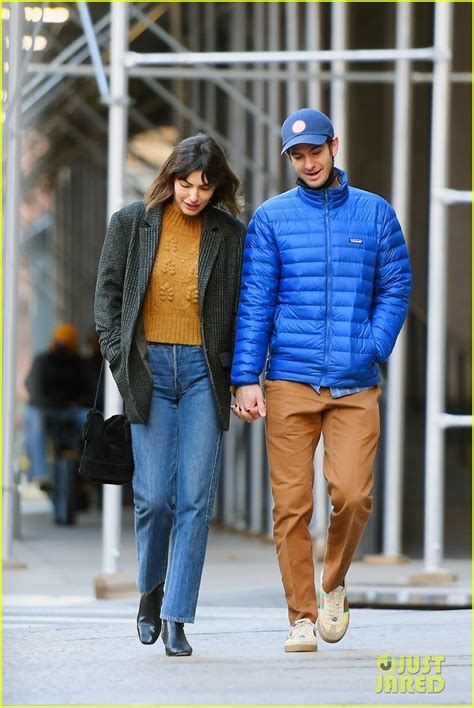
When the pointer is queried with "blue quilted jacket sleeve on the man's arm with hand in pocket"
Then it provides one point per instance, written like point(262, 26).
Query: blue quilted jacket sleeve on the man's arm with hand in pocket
point(392, 286)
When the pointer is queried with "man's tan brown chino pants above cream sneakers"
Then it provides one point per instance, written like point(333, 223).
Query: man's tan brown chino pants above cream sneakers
point(296, 416)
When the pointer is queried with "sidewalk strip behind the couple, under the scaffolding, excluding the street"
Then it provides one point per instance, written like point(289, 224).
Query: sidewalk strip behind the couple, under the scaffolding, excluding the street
point(238, 567)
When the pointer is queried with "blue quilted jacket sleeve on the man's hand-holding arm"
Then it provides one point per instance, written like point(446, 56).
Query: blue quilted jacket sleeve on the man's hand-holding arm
point(259, 287)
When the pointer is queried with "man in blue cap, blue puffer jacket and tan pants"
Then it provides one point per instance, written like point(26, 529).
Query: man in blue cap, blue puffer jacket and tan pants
point(325, 287)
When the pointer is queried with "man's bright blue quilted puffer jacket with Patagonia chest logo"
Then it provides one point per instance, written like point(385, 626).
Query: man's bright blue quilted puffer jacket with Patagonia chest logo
point(325, 286)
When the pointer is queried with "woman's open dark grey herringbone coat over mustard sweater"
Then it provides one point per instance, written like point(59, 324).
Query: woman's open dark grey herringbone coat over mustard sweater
point(125, 266)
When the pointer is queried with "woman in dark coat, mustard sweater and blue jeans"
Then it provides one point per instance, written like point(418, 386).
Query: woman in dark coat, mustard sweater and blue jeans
point(165, 306)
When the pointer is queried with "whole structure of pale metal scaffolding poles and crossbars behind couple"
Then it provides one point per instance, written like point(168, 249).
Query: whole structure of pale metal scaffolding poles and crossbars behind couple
point(265, 65)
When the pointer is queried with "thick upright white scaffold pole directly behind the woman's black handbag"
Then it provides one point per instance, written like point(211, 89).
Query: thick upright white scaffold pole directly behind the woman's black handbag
point(112, 497)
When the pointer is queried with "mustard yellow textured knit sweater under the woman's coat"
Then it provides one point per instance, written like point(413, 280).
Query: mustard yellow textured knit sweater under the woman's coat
point(171, 307)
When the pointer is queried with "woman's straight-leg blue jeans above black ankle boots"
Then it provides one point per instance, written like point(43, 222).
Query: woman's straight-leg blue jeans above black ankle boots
point(177, 463)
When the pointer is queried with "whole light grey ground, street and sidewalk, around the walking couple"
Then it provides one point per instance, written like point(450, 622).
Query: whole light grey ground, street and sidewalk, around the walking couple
point(61, 646)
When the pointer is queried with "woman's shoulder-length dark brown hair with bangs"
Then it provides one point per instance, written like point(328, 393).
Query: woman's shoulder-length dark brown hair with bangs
point(198, 153)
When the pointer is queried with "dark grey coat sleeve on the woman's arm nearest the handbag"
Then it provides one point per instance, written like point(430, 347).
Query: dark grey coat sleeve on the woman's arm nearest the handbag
point(109, 288)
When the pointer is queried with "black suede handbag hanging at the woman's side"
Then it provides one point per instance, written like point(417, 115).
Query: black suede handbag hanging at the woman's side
point(107, 456)
